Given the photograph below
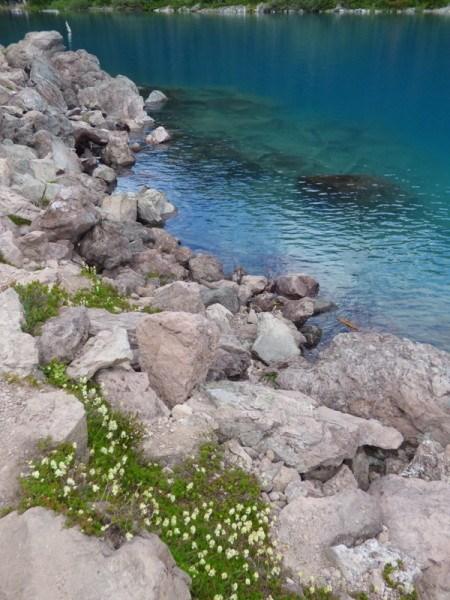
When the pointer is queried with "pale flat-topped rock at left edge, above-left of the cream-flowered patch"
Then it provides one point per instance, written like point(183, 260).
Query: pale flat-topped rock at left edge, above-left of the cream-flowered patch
point(28, 415)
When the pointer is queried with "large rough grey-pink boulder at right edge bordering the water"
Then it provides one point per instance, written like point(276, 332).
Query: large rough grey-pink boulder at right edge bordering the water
point(402, 383)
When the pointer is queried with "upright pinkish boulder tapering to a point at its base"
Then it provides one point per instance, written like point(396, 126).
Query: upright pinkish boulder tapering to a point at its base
point(176, 350)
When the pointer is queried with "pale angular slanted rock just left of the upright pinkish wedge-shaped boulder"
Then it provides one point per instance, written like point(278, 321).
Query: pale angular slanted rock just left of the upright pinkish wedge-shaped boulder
point(109, 348)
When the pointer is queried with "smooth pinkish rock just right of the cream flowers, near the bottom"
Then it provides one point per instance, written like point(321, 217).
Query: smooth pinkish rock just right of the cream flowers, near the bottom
point(307, 528)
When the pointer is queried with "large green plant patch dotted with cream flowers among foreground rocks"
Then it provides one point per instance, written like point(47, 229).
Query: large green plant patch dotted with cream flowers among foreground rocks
point(210, 515)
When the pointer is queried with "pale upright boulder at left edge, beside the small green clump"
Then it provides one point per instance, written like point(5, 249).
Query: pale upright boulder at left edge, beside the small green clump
point(18, 350)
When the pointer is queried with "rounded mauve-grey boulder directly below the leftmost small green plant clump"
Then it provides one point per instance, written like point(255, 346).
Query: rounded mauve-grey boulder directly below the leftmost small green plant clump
point(63, 336)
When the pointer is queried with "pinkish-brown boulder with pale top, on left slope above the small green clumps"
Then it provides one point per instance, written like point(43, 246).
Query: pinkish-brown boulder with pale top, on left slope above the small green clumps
point(67, 218)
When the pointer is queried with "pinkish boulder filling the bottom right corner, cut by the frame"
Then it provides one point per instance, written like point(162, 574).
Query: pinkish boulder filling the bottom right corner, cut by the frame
point(417, 518)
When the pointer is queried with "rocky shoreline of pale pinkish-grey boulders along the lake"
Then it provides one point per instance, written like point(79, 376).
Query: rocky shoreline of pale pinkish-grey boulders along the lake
point(351, 450)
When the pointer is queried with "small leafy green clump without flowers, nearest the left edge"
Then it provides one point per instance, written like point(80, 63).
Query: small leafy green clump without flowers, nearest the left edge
point(40, 302)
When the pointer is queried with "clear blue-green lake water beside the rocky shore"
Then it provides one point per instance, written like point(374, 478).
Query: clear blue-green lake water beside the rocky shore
point(258, 103)
